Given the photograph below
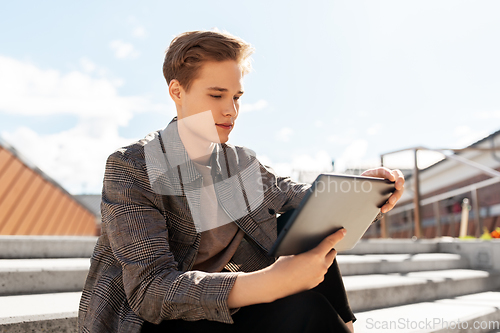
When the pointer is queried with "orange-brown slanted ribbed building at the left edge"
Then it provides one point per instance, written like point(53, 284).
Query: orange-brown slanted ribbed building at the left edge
point(31, 203)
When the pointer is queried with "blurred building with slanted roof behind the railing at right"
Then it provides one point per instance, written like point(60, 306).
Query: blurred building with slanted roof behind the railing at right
point(443, 187)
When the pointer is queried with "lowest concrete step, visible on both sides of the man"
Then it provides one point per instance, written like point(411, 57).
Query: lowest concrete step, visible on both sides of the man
point(58, 312)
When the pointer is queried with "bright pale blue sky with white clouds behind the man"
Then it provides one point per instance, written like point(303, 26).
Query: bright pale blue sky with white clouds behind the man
point(342, 80)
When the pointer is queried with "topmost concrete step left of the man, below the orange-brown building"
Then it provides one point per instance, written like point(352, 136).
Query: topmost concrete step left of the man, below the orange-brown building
point(20, 247)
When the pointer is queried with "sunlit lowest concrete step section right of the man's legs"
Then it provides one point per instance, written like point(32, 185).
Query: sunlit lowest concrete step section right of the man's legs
point(478, 312)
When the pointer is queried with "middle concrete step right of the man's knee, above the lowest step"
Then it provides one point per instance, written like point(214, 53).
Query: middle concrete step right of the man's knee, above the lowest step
point(375, 291)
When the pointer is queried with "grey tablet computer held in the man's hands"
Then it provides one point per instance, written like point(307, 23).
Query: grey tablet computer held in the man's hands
point(333, 202)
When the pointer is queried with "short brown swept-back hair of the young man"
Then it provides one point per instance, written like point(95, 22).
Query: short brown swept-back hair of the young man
point(187, 52)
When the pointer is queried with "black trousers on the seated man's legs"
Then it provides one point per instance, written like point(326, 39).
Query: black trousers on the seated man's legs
point(322, 309)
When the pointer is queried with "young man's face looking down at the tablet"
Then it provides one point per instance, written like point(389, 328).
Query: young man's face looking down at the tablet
point(210, 107)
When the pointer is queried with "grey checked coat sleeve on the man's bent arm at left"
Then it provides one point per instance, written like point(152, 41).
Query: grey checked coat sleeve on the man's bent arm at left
point(139, 239)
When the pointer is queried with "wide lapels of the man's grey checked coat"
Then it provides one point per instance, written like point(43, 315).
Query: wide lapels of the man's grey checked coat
point(229, 171)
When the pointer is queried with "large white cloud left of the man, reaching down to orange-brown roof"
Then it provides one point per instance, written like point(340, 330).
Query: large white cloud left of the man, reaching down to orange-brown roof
point(76, 156)
